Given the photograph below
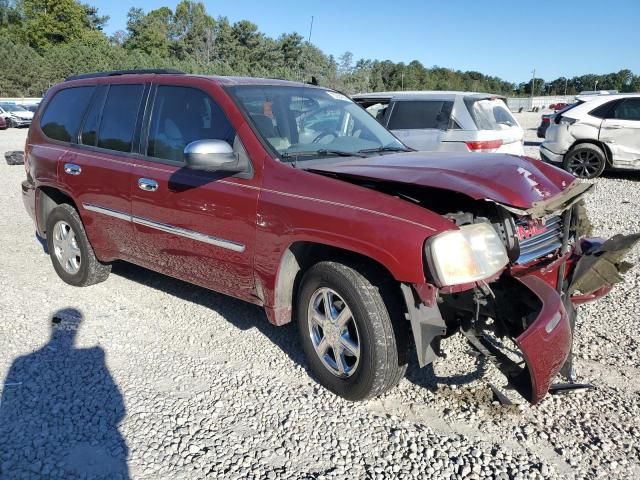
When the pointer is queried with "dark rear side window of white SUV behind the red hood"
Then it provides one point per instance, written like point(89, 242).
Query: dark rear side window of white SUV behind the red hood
point(419, 114)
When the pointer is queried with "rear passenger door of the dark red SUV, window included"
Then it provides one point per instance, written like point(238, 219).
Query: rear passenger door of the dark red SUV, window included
point(97, 169)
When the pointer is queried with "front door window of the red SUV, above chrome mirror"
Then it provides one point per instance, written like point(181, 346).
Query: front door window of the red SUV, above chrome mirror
point(182, 115)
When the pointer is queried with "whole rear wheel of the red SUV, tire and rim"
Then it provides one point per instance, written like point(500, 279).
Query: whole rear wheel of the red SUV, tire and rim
point(71, 253)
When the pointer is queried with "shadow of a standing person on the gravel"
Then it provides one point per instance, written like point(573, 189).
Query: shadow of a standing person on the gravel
point(60, 410)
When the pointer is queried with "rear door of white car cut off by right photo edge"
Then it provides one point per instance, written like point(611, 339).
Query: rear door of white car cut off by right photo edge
point(621, 132)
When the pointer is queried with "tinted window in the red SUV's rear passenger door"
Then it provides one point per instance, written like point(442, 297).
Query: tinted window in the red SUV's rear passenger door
point(119, 115)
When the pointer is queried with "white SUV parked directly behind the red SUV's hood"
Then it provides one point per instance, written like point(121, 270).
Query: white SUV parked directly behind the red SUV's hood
point(447, 121)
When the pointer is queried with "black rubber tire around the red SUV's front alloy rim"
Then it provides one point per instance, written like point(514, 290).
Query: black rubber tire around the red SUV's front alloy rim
point(383, 343)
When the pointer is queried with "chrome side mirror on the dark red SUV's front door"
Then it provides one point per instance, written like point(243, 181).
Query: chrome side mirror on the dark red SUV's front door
point(212, 155)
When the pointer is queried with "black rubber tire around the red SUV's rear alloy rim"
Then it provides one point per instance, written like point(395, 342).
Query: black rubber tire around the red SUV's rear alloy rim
point(89, 269)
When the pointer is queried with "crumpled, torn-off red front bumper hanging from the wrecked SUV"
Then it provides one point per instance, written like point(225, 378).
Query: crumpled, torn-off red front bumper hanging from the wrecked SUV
point(526, 305)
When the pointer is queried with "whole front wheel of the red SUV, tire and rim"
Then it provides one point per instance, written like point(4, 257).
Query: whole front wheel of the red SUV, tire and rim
point(347, 331)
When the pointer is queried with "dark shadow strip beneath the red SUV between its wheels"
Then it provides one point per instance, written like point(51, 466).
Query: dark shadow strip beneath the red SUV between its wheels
point(240, 314)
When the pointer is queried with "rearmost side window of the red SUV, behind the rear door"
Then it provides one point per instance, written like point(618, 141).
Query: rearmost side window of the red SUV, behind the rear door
point(63, 114)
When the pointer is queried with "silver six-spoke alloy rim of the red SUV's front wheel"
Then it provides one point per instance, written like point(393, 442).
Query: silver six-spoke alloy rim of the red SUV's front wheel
point(334, 332)
